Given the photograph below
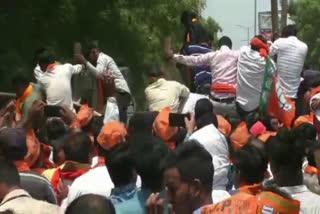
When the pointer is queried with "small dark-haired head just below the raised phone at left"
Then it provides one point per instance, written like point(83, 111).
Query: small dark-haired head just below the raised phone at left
point(55, 128)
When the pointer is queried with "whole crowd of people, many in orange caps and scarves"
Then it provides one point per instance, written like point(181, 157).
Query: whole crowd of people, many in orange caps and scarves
point(239, 136)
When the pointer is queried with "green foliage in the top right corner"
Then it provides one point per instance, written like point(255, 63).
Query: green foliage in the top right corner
point(306, 15)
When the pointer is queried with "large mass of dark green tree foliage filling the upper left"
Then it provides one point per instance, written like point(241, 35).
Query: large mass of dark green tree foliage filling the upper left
point(131, 30)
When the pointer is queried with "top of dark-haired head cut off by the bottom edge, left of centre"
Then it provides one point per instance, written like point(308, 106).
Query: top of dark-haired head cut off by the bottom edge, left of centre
point(91, 203)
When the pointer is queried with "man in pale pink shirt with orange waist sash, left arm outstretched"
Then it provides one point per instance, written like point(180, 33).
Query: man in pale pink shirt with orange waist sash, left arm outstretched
point(223, 65)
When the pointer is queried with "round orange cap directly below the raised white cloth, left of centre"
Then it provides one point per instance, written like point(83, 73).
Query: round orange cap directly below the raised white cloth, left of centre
point(111, 134)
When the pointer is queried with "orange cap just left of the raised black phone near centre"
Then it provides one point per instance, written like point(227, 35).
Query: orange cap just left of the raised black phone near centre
point(161, 125)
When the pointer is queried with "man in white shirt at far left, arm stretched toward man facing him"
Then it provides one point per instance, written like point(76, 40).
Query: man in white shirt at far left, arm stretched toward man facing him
point(56, 80)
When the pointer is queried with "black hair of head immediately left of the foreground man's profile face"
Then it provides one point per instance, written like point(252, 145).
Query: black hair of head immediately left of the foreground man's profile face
point(148, 151)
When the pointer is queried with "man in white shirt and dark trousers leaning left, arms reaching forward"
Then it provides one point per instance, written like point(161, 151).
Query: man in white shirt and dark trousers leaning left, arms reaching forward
point(104, 63)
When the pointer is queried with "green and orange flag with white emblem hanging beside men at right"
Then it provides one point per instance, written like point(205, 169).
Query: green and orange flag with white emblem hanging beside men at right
point(273, 100)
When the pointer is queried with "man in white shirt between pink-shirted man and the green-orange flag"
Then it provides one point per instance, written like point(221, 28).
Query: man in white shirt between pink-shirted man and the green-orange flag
point(251, 66)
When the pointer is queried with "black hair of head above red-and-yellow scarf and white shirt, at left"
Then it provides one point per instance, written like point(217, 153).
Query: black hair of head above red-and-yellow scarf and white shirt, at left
point(77, 147)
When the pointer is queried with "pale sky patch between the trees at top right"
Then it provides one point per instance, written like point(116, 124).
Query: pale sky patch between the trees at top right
point(229, 13)
